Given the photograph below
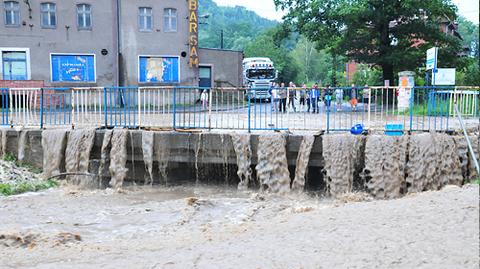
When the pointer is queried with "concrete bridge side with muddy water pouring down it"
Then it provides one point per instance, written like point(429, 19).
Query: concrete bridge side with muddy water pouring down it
point(334, 164)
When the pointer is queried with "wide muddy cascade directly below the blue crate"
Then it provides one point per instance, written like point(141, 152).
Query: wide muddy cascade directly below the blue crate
point(385, 159)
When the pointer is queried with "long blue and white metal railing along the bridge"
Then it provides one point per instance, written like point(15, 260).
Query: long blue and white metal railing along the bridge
point(331, 110)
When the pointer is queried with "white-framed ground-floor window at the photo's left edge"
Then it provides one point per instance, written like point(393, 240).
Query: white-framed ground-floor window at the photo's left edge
point(14, 65)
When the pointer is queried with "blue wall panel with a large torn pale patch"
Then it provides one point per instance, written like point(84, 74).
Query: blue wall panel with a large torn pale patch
point(159, 69)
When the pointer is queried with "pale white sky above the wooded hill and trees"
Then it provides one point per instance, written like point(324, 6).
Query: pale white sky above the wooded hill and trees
point(266, 8)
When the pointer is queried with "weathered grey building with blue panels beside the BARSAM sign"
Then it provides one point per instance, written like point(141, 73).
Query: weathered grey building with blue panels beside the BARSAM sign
point(89, 43)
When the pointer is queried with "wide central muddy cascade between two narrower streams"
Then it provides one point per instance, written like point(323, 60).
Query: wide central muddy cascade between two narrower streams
point(272, 167)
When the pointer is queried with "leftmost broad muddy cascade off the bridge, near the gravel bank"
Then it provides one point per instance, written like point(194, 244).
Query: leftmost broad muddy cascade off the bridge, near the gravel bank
point(53, 144)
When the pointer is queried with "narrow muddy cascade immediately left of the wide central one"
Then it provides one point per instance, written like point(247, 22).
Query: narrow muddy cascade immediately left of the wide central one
point(241, 145)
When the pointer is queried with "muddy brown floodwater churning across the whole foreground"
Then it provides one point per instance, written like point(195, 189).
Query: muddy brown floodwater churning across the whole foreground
point(207, 227)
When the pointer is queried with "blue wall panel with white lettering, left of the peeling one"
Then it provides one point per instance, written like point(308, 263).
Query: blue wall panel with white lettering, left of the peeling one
point(73, 68)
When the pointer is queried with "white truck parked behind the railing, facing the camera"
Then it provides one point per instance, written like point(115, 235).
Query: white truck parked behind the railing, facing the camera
point(258, 77)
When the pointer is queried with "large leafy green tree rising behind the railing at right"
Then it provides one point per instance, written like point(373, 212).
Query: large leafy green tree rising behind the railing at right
point(381, 32)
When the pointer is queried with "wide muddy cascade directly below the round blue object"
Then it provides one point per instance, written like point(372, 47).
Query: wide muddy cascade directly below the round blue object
point(341, 154)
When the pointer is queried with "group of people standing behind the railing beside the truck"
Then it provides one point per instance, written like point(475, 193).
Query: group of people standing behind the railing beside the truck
point(310, 99)
